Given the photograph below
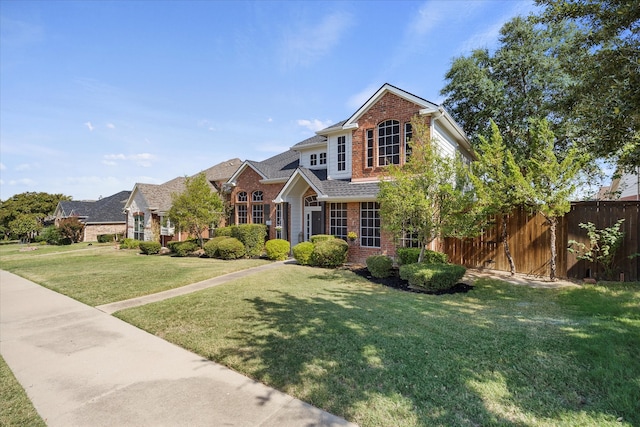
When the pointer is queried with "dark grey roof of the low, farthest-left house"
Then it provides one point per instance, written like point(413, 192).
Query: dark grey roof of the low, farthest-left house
point(106, 210)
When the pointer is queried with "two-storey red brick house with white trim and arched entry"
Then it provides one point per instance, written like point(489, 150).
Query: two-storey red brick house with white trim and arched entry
point(328, 184)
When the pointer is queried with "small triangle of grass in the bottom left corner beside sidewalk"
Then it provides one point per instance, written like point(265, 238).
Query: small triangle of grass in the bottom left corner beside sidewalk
point(15, 407)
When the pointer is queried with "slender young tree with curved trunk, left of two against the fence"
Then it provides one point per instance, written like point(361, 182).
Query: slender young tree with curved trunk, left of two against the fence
point(499, 184)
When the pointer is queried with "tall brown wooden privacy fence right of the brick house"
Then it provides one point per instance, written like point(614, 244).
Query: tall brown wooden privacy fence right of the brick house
point(529, 239)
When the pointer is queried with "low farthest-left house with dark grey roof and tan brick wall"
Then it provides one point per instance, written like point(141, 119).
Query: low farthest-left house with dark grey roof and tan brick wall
point(103, 216)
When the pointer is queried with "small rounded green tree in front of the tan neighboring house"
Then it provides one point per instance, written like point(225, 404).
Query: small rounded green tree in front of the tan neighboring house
point(197, 208)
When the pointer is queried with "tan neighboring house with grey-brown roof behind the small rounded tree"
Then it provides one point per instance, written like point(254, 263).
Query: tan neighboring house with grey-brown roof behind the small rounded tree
point(148, 205)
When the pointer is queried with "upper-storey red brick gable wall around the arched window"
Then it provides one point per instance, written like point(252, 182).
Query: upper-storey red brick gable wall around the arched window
point(389, 107)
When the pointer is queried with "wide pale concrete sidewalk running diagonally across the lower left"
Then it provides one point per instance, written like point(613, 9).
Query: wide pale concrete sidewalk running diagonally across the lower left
point(83, 367)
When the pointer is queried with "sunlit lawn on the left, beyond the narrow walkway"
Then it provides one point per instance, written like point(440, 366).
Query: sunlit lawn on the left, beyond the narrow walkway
point(99, 275)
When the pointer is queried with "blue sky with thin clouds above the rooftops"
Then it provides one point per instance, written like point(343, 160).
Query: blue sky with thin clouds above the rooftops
point(96, 95)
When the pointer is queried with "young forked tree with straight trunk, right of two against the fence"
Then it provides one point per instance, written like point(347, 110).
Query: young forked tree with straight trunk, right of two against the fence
point(551, 181)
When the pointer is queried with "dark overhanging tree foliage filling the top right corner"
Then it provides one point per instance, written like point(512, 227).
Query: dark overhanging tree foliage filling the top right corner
point(606, 91)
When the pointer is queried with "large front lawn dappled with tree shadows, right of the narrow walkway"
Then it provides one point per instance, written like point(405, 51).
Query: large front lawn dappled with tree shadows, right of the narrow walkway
point(498, 355)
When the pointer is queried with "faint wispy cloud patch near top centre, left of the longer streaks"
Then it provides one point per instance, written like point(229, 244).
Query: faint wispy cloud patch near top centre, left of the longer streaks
point(308, 43)
